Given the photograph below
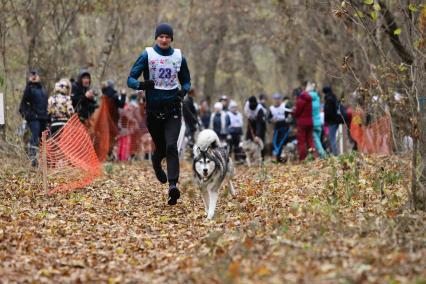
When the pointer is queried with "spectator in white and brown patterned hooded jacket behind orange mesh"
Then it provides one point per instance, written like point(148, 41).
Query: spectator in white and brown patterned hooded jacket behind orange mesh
point(60, 107)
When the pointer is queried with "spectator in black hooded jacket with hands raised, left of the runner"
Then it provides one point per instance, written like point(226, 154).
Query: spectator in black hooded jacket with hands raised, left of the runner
point(83, 99)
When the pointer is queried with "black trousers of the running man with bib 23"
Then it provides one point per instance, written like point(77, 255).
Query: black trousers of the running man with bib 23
point(165, 133)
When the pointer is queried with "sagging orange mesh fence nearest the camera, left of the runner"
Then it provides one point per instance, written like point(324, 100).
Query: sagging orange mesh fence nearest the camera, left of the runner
point(68, 159)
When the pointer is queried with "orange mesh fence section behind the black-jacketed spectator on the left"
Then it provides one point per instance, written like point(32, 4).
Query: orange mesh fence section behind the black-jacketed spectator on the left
point(103, 127)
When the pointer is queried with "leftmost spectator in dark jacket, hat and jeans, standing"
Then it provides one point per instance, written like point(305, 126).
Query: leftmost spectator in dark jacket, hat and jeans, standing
point(33, 109)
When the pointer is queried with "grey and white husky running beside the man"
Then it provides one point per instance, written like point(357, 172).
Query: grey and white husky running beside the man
point(211, 166)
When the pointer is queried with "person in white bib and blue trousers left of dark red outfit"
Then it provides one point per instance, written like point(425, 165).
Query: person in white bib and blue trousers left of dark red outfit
point(279, 115)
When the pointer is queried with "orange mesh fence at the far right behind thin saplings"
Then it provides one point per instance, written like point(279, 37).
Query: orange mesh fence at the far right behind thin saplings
point(375, 138)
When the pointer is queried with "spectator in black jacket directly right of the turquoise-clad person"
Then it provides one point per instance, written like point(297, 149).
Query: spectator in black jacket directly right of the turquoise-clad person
point(331, 117)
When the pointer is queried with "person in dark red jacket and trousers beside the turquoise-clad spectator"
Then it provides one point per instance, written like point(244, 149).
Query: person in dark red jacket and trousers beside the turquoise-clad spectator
point(304, 123)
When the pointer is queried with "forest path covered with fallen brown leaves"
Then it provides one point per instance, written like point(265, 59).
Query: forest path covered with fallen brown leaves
point(339, 220)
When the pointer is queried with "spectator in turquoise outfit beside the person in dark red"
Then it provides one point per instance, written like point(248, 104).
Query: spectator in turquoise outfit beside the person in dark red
point(316, 116)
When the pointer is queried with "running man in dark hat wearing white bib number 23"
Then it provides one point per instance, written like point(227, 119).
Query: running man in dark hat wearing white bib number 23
point(166, 80)
